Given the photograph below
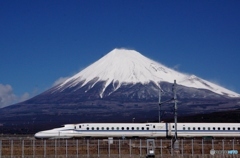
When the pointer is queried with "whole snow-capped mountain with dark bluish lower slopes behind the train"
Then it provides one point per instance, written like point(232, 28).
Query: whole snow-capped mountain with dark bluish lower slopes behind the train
point(120, 86)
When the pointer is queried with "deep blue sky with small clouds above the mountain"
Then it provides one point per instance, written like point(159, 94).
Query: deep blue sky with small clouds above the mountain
point(42, 41)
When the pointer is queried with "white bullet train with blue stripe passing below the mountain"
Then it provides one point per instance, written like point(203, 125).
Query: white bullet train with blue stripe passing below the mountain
point(124, 130)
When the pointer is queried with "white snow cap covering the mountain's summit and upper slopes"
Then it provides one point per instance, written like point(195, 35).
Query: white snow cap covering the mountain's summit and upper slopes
point(121, 66)
